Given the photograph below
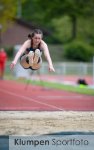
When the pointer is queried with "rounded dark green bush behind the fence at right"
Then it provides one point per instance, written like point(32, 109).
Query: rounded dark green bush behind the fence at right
point(78, 51)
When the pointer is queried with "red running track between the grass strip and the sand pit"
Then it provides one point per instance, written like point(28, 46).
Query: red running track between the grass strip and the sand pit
point(15, 96)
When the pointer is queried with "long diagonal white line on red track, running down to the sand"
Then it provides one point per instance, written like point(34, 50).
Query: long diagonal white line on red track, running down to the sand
point(31, 99)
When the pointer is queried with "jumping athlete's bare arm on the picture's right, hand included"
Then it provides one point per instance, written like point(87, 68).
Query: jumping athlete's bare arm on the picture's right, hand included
point(47, 56)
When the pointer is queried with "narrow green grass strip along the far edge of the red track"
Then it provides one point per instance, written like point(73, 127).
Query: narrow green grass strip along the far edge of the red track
point(71, 88)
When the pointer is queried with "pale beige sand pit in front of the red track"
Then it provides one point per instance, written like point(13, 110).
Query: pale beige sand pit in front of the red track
point(44, 122)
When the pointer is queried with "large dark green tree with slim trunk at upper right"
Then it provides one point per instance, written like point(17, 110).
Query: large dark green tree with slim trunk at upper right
point(72, 8)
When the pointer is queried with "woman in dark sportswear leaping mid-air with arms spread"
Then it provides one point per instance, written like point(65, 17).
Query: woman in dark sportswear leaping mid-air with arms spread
point(31, 51)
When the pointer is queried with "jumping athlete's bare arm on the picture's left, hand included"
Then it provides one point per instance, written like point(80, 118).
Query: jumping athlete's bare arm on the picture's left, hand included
point(19, 53)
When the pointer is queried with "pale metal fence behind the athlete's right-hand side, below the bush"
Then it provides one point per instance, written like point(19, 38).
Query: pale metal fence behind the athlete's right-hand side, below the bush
point(69, 68)
